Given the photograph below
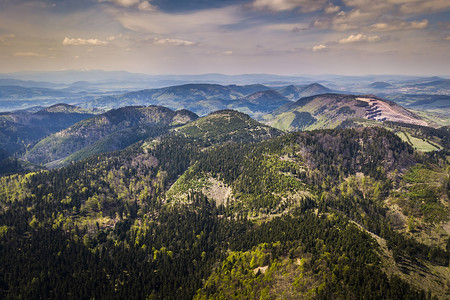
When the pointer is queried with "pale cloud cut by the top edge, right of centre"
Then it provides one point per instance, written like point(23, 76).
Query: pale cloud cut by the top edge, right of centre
point(284, 5)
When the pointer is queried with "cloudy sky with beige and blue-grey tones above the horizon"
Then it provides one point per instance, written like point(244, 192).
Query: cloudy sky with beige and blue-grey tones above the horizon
point(286, 37)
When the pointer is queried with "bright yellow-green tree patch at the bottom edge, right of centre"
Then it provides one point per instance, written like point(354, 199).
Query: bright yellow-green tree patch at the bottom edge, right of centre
point(254, 274)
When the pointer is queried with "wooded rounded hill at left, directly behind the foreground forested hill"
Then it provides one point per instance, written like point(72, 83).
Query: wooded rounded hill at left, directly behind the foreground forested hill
point(87, 132)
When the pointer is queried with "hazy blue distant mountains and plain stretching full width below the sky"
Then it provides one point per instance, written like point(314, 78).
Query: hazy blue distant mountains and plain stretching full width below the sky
point(93, 87)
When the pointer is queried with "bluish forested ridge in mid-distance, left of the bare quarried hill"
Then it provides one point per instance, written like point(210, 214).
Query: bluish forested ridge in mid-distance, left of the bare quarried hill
point(202, 99)
